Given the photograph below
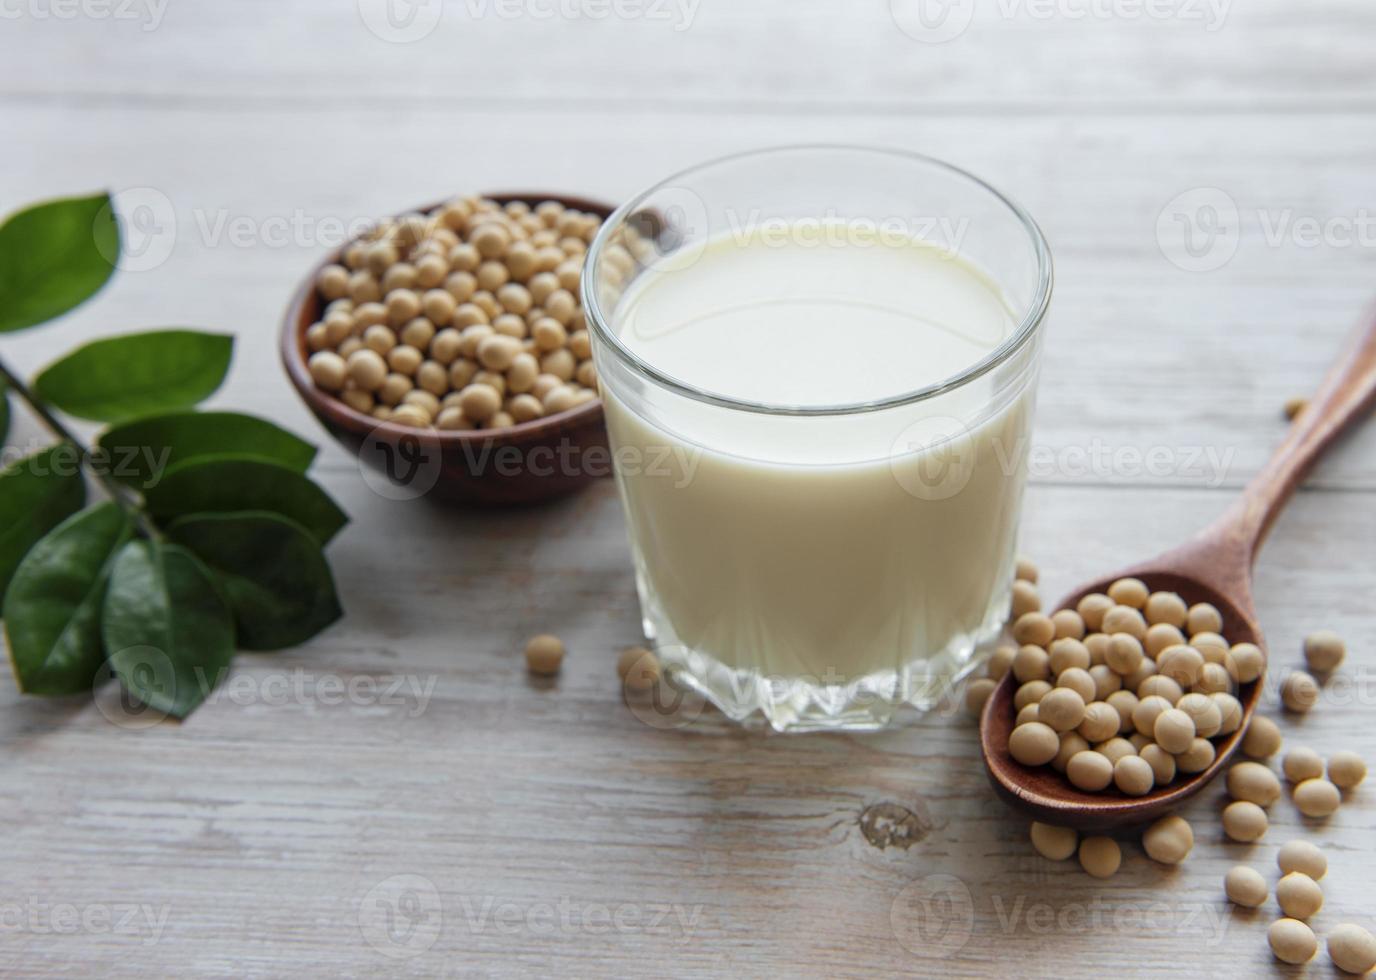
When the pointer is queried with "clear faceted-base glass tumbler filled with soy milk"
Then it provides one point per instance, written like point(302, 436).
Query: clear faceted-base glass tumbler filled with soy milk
point(818, 367)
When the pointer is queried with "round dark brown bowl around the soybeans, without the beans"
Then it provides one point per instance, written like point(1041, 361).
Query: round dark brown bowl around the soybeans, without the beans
point(522, 465)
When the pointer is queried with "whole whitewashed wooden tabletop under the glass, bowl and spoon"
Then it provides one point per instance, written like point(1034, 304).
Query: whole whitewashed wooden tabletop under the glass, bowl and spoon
point(451, 817)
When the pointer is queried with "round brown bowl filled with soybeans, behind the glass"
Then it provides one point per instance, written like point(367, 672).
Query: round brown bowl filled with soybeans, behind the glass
point(455, 335)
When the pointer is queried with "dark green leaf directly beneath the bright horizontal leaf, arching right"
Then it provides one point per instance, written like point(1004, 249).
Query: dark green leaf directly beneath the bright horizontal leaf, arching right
point(141, 452)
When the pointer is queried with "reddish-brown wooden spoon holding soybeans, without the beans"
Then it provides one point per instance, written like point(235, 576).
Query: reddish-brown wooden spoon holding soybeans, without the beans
point(1216, 568)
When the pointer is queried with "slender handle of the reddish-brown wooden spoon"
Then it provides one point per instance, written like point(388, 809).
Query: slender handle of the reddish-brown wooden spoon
point(1348, 393)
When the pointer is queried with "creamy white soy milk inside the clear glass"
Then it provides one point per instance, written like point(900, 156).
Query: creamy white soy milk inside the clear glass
point(859, 550)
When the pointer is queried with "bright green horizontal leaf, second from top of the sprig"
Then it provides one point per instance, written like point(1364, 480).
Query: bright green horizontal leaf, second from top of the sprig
point(137, 375)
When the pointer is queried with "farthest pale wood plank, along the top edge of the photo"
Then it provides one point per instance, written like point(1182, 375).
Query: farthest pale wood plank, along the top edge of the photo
point(817, 57)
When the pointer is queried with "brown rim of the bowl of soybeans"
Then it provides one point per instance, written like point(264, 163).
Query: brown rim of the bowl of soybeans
point(292, 350)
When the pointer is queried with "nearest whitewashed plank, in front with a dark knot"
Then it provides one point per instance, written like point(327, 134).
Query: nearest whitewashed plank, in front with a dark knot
point(539, 811)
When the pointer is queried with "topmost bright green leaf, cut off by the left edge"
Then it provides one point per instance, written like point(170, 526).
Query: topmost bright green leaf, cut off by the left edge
point(54, 257)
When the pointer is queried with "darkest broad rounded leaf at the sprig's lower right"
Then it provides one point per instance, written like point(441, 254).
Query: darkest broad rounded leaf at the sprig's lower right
point(272, 572)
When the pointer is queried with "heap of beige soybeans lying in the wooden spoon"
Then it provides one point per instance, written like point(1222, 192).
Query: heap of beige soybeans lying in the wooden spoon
point(1128, 690)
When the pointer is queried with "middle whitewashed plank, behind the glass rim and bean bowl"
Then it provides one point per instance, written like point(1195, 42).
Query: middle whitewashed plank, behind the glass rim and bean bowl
point(1141, 356)
